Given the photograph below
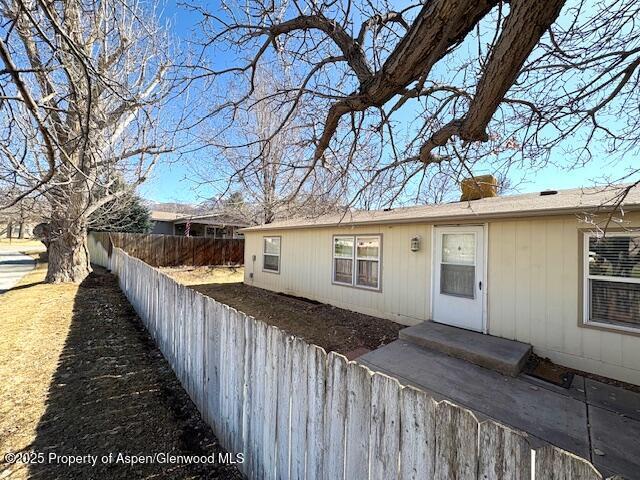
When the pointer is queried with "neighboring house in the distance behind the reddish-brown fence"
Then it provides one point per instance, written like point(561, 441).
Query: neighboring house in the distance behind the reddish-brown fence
point(214, 225)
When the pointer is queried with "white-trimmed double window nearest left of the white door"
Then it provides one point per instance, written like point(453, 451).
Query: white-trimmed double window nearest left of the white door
point(356, 260)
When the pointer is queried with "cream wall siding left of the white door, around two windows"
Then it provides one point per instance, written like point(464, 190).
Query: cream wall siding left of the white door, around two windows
point(306, 270)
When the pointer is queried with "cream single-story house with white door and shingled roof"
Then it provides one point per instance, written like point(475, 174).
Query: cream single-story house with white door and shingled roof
point(526, 267)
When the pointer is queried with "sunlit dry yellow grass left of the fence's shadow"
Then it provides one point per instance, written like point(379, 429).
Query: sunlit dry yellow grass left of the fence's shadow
point(35, 320)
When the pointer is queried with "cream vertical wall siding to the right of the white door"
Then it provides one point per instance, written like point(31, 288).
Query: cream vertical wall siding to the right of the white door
point(535, 297)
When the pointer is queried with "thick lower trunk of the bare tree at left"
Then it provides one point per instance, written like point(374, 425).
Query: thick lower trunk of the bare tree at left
point(67, 251)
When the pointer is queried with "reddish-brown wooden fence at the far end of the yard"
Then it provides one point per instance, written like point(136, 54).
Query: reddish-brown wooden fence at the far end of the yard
point(172, 250)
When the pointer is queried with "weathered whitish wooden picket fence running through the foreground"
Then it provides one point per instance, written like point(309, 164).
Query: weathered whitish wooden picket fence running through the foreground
point(297, 412)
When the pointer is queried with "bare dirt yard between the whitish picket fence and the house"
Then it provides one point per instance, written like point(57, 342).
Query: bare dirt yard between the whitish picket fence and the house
point(332, 328)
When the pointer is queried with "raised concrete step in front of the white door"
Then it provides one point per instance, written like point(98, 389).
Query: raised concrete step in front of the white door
point(499, 354)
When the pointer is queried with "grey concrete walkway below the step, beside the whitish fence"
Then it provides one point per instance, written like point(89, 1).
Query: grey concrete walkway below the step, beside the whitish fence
point(594, 420)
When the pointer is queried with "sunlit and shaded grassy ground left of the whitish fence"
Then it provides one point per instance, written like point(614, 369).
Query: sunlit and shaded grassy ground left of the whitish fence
point(79, 375)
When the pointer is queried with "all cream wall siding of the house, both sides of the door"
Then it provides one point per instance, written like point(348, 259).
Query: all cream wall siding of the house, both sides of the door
point(533, 284)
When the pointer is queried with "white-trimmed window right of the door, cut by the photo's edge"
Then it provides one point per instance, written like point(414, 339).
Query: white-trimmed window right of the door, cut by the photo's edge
point(612, 280)
